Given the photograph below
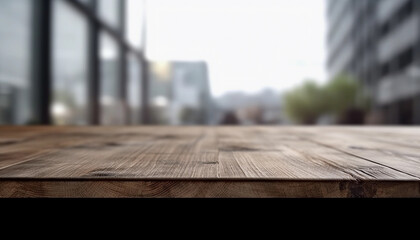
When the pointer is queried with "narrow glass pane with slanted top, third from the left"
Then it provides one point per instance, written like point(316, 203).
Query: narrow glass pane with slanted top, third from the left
point(112, 110)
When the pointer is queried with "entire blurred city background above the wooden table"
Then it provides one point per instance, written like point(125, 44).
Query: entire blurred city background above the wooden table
point(209, 62)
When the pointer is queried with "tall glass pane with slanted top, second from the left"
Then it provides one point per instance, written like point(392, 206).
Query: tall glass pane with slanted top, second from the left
point(70, 74)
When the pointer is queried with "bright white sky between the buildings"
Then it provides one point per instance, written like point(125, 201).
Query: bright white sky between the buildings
point(249, 44)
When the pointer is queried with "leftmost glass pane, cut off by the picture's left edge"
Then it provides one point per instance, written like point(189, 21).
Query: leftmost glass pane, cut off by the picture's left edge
point(15, 26)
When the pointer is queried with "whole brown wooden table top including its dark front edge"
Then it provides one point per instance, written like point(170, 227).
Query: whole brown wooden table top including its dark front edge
point(209, 162)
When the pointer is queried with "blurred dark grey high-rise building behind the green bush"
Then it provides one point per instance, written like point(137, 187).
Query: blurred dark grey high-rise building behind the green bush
point(378, 42)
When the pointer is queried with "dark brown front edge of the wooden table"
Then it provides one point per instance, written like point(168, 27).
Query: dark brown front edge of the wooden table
point(112, 188)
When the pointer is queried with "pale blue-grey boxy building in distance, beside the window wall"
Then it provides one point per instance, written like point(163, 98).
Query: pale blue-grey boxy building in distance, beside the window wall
point(180, 93)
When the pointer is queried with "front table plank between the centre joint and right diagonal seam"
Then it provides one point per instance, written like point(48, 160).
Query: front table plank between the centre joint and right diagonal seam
point(283, 155)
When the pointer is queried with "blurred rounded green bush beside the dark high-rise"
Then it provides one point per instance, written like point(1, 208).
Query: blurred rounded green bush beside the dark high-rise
point(343, 97)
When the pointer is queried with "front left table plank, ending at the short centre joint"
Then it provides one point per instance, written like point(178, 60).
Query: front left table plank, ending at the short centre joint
point(119, 161)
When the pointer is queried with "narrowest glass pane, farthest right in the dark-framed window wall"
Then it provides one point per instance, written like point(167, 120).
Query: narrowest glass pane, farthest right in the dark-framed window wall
point(134, 89)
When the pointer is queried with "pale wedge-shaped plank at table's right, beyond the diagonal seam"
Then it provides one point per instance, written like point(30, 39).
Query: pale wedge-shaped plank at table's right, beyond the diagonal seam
point(397, 151)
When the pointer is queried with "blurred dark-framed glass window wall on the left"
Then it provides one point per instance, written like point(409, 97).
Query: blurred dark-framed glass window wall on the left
point(70, 62)
